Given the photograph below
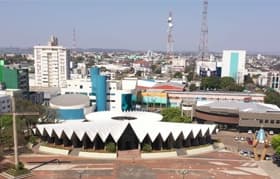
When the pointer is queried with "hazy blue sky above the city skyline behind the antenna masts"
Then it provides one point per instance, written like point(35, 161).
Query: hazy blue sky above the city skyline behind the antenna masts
point(252, 25)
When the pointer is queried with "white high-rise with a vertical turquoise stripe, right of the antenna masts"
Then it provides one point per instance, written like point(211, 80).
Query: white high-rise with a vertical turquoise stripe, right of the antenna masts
point(233, 64)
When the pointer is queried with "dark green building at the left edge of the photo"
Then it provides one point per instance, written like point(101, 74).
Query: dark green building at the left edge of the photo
point(12, 78)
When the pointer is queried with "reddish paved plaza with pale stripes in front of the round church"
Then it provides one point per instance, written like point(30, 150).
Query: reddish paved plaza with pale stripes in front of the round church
point(217, 164)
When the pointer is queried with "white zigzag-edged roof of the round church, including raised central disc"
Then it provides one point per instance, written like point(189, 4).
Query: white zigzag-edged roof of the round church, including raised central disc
point(142, 123)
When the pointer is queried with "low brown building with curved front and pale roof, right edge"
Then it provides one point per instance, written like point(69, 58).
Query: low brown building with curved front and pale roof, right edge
point(238, 114)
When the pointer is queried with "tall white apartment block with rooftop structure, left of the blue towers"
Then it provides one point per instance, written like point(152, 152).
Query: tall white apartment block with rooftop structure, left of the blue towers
point(51, 64)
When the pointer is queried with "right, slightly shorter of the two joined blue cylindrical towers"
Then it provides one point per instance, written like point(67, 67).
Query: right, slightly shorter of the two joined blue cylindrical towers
point(101, 96)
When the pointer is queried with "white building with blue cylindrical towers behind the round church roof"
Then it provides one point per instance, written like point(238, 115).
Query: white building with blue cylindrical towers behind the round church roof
point(103, 94)
